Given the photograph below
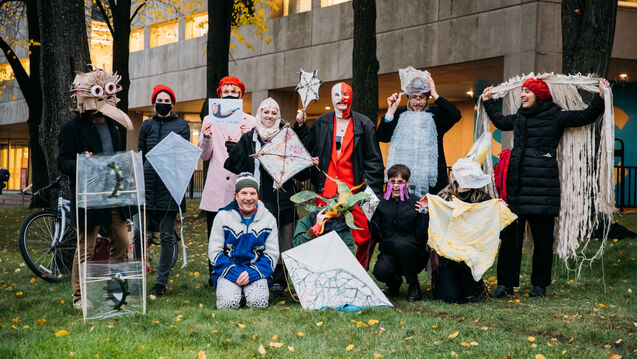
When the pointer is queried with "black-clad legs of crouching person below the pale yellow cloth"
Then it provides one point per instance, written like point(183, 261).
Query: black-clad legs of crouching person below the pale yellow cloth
point(452, 282)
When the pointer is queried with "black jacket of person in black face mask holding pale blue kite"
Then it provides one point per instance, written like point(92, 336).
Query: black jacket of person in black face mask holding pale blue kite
point(158, 198)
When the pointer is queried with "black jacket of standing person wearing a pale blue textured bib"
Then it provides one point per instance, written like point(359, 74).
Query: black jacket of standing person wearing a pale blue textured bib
point(445, 115)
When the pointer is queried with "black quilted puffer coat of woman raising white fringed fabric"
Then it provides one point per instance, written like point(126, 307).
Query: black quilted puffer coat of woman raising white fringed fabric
point(533, 185)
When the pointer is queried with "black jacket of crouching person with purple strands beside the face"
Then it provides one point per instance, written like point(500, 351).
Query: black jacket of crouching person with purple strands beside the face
point(396, 220)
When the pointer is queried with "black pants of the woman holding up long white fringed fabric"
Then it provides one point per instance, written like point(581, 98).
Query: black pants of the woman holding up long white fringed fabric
point(510, 254)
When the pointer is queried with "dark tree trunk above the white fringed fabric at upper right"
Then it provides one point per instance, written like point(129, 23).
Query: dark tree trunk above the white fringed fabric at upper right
point(588, 31)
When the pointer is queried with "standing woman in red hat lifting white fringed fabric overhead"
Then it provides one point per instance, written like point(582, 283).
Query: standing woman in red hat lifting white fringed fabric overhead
point(533, 185)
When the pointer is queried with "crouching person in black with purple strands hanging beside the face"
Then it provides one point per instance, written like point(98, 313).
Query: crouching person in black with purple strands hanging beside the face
point(401, 233)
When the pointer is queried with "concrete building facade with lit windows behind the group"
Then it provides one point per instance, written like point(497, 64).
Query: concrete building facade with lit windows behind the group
point(465, 44)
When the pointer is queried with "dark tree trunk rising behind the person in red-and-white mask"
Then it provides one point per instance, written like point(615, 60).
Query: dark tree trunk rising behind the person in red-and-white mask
point(364, 61)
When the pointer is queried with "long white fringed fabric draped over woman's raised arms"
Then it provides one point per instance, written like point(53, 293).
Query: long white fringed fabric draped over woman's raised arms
point(586, 166)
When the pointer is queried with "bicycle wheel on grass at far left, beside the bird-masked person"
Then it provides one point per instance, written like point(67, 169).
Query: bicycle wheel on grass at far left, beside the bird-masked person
point(52, 263)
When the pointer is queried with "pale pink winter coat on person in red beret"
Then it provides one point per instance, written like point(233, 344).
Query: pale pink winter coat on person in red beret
point(218, 190)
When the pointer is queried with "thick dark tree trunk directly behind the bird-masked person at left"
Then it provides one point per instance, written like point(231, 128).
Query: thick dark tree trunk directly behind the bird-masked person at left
point(64, 51)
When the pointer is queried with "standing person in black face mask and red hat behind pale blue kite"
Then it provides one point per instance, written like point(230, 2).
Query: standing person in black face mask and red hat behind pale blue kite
point(161, 207)
